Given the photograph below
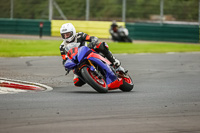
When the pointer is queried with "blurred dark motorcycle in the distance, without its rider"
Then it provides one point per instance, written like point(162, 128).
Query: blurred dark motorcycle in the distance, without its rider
point(121, 35)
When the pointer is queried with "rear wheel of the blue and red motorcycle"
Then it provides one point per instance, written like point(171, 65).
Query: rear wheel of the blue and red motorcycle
point(127, 84)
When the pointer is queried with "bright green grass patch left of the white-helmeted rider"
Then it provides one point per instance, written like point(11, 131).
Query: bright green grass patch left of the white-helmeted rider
point(15, 48)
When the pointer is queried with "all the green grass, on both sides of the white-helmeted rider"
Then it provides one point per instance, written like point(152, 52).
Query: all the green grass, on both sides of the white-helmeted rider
point(15, 48)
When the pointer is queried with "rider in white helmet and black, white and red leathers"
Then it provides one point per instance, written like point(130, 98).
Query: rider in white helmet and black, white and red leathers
point(69, 35)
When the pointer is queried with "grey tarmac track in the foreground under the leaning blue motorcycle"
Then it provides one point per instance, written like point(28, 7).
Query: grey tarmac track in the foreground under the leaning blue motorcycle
point(165, 99)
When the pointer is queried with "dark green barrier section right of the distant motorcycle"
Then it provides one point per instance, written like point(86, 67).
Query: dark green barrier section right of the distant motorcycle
point(164, 32)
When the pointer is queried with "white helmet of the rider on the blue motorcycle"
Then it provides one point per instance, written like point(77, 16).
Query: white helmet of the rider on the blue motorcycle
point(69, 29)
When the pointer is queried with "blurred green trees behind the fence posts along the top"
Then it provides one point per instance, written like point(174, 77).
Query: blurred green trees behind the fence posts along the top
point(136, 10)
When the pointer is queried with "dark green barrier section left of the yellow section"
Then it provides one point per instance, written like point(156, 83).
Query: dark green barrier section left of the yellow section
point(24, 26)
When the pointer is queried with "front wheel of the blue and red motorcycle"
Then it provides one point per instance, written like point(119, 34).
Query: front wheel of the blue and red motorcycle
point(94, 81)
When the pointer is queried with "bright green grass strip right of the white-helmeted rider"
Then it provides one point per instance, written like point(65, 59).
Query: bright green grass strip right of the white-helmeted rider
point(157, 47)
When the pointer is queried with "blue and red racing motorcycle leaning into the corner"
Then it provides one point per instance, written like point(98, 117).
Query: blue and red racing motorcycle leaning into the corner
point(96, 70)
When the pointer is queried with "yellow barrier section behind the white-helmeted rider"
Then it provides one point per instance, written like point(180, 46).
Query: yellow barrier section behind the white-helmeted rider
point(99, 29)
